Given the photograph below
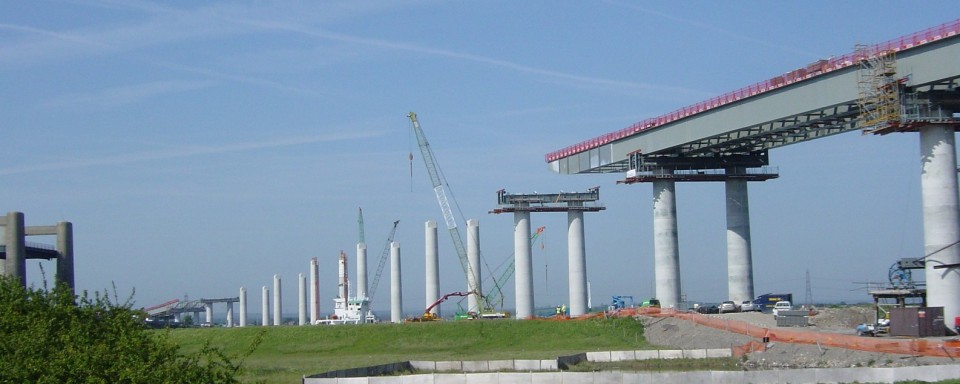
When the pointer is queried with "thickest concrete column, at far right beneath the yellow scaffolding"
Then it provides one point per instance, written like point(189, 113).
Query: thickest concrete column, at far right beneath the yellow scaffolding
point(941, 218)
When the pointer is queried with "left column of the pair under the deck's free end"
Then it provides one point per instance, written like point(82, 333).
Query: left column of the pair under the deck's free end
point(665, 243)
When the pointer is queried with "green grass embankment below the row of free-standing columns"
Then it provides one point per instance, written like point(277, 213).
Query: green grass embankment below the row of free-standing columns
point(288, 353)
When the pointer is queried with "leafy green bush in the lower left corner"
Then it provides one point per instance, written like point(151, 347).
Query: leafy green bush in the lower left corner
point(57, 337)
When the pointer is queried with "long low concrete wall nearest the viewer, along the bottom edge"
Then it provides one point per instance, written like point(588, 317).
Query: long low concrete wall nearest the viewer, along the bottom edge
point(930, 373)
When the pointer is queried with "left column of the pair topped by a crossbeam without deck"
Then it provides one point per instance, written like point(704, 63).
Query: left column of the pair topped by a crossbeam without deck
point(523, 263)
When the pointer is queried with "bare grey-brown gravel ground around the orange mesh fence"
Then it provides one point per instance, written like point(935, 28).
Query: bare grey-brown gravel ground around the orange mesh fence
point(674, 333)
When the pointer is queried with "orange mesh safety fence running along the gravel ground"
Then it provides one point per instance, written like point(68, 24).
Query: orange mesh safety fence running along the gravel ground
point(935, 347)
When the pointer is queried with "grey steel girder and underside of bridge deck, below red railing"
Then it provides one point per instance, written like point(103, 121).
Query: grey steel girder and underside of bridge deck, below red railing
point(773, 119)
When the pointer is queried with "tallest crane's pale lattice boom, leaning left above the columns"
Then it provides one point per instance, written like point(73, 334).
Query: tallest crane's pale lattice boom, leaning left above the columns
point(436, 177)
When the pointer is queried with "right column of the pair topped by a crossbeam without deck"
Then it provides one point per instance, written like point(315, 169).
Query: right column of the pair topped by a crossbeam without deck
point(577, 263)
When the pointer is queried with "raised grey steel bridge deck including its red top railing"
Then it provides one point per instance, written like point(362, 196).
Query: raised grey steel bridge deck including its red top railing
point(816, 101)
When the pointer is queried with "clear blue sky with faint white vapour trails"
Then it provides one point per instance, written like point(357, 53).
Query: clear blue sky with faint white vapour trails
point(199, 146)
